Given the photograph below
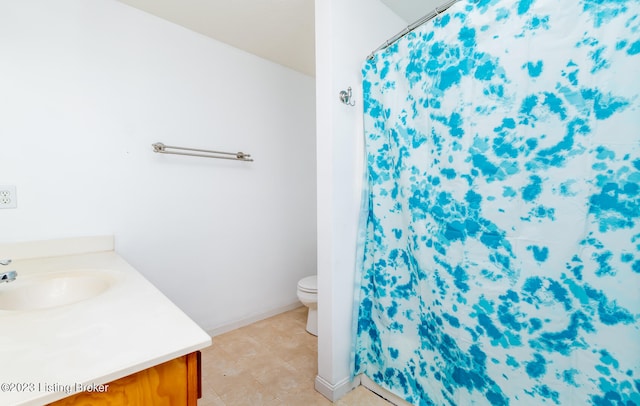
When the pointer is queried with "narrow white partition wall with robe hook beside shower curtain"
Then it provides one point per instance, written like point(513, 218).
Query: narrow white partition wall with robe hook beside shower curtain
point(346, 32)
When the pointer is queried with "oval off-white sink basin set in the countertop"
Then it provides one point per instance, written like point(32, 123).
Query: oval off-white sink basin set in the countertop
point(53, 289)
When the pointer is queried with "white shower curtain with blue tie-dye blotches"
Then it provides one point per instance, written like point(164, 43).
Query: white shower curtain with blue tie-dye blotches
point(500, 230)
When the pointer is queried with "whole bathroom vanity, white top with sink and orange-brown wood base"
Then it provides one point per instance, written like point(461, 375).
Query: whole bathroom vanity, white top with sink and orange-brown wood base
point(79, 325)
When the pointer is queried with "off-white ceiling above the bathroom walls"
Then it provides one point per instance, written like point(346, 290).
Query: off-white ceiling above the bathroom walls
point(281, 31)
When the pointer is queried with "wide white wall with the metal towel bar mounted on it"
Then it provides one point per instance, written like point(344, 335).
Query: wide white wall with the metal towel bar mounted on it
point(86, 86)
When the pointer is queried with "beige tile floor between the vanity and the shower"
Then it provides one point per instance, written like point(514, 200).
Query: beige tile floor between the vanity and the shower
point(272, 362)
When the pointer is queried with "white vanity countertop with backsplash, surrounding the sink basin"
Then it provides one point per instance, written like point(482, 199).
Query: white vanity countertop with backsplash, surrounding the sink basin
point(129, 327)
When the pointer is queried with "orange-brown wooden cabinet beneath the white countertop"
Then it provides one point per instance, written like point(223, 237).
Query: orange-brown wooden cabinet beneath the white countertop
point(173, 383)
